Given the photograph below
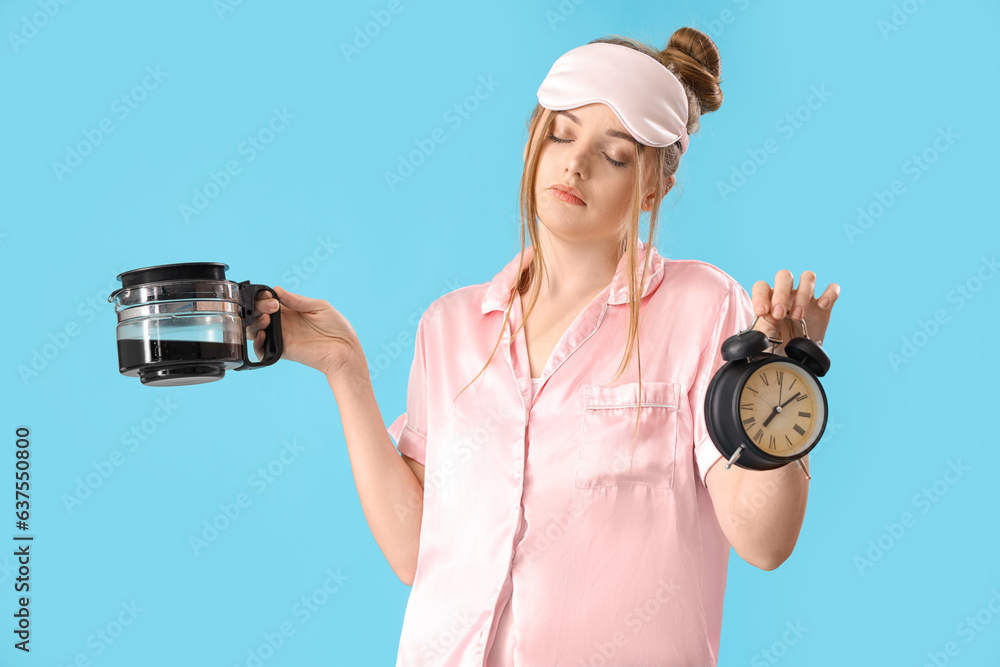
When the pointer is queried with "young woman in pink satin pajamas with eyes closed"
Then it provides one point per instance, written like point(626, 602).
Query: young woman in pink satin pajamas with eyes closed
point(559, 503)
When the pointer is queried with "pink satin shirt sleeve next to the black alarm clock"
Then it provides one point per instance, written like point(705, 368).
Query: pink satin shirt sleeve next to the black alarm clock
point(735, 314)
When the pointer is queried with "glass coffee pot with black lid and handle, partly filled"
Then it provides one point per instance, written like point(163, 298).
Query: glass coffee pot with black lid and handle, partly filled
point(181, 324)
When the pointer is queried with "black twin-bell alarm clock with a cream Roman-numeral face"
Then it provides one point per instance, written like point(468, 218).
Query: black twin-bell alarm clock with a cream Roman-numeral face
point(765, 410)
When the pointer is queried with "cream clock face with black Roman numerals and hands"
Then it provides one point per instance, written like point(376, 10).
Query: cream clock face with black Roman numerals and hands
point(781, 408)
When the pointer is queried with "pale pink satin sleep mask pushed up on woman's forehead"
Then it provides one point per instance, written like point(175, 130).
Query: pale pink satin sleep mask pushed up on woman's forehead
point(645, 96)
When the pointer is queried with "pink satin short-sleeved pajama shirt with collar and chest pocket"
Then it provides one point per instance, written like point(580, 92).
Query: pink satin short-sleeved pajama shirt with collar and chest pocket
point(545, 540)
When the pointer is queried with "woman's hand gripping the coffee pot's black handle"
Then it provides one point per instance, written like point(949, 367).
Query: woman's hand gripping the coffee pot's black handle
point(313, 332)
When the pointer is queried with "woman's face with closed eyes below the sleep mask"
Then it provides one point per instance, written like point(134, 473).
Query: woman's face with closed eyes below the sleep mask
point(589, 150)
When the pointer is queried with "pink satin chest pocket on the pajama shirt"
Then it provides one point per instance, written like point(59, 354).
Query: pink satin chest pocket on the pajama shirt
point(606, 456)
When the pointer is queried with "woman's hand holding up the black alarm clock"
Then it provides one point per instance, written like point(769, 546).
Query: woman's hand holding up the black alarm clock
point(779, 309)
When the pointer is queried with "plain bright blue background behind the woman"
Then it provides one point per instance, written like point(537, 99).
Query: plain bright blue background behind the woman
point(896, 74)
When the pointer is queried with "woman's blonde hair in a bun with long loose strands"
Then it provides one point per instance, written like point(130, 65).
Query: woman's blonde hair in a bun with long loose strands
point(693, 57)
